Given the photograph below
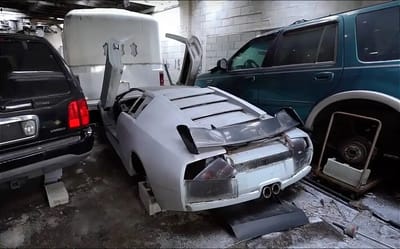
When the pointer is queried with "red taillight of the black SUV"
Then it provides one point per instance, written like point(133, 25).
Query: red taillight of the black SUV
point(78, 114)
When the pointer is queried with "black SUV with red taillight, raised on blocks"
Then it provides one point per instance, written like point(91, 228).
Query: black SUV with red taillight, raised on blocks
point(44, 119)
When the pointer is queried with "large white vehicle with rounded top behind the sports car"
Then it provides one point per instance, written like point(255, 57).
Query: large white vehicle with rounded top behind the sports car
point(87, 30)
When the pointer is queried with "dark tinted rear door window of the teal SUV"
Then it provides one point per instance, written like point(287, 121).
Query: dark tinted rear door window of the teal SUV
point(307, 45)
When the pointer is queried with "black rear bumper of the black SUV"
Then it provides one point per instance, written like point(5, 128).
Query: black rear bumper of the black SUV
point(39, 160)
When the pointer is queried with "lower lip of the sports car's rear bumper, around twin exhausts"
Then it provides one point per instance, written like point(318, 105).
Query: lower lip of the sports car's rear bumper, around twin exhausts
point(249, 195)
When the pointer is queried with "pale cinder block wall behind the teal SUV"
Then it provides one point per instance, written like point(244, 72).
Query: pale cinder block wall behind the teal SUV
point(224, 26)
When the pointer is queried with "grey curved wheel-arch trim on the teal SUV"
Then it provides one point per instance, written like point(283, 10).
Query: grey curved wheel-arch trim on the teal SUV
point(352, 95)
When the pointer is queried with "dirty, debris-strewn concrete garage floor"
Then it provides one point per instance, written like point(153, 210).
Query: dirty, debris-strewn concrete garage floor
point(105, 211)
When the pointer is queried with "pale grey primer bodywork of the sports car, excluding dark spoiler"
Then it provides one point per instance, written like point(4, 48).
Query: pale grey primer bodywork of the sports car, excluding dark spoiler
point(154, 138)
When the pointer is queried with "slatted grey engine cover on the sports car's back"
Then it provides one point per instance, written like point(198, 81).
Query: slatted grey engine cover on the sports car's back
point(208, 106)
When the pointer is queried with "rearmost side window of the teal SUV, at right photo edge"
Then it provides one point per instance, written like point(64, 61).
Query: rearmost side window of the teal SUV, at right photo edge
point(378, 35)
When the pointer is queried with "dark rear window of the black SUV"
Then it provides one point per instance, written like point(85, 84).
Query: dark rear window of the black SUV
point(29, 69)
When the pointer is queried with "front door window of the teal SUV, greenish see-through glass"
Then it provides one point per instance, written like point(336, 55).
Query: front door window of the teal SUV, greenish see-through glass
point(253, 53)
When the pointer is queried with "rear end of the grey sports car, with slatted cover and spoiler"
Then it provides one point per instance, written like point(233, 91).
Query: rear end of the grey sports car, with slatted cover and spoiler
point(262, 154)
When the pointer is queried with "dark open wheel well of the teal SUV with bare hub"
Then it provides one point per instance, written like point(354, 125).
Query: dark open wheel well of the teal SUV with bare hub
point(352, 141)
